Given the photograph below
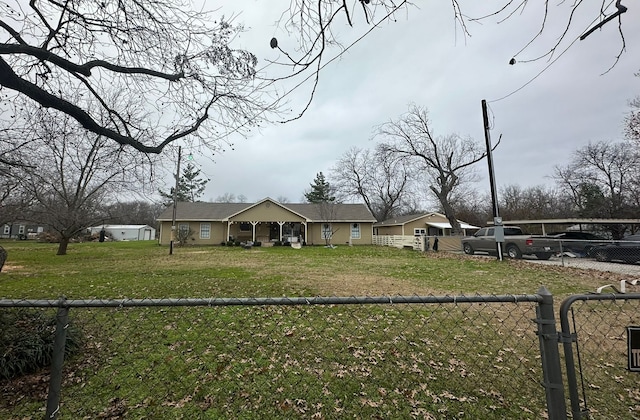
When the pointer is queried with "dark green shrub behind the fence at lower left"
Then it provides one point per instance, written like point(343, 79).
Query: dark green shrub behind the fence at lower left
point(26, 341)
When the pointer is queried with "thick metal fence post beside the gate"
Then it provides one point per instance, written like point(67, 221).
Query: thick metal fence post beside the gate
point(550, 355)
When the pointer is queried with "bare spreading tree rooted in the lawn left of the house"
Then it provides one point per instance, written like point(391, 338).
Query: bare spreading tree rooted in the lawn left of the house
point(78, 174)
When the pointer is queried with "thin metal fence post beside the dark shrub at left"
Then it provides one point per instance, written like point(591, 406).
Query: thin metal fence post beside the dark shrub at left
point(57, 360)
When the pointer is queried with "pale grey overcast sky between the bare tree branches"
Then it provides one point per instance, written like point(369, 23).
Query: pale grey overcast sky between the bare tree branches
point(422, 58)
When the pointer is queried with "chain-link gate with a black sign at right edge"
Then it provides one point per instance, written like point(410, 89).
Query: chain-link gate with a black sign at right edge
point(601, 340)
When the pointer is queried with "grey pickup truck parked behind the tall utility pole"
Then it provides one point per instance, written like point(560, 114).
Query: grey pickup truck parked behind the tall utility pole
point(516, 243)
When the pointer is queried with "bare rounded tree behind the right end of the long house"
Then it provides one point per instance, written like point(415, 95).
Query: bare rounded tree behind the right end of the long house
point(382, 181)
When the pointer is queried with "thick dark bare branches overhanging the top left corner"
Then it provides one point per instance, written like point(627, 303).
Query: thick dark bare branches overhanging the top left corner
point(174, 61)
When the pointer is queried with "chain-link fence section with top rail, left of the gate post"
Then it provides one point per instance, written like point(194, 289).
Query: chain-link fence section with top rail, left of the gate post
point(322, 357)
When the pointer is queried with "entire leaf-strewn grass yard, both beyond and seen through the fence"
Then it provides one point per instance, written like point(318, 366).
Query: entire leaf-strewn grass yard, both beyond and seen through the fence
point(322, 362)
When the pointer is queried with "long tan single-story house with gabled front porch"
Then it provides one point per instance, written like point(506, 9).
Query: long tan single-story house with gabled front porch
point(268, 221)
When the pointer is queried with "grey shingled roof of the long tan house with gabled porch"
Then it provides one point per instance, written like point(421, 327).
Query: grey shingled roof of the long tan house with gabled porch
point(218, 212)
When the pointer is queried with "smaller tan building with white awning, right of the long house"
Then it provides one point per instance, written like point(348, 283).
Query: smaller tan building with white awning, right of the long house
point(429, 224)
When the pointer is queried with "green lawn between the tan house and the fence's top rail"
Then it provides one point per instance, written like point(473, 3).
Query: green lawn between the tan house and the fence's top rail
point(145, 270)
